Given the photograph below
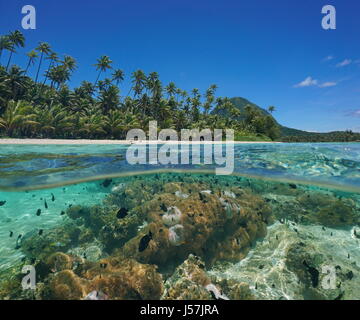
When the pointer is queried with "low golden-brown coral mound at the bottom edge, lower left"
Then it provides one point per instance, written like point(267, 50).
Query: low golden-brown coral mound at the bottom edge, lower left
point(121, 279)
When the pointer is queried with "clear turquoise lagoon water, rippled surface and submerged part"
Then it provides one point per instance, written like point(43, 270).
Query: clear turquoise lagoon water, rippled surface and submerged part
point(309, 195)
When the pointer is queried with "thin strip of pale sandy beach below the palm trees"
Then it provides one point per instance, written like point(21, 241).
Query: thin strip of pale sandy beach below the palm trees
point(109, 142)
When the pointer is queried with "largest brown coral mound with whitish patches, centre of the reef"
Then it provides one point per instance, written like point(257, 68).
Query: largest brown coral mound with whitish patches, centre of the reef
point(208, 229)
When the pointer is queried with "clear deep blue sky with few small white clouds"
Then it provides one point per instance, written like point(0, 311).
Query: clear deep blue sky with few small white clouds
point(270, 52)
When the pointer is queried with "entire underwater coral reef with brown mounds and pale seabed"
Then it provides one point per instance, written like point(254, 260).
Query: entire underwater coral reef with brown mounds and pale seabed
point(182, 236)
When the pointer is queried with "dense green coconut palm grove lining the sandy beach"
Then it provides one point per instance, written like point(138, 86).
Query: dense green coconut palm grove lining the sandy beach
point(46, 107)
